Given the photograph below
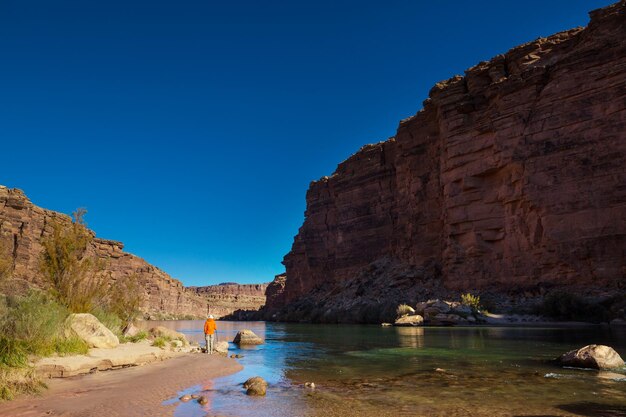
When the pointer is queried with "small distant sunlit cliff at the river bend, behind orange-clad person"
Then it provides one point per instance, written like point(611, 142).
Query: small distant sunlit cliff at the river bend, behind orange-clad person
point(225, 299)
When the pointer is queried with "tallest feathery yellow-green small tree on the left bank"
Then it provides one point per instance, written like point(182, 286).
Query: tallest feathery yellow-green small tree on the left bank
point(75, 278)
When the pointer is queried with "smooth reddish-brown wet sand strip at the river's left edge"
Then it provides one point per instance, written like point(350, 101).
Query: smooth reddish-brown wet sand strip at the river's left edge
point(136, 391)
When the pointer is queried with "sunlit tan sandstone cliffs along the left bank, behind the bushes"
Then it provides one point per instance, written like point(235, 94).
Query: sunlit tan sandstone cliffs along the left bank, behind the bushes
point(23, 225)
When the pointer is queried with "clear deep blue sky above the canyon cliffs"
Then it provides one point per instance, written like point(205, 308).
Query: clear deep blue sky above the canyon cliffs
point(190, 130)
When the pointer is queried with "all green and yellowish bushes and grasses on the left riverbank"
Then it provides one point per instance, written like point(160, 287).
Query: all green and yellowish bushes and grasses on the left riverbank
point(33, 324)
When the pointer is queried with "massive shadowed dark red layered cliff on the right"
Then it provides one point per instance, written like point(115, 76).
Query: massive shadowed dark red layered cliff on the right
point(511, 179)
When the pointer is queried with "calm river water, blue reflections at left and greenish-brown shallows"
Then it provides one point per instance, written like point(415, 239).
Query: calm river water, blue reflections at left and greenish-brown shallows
point(376, 371)
